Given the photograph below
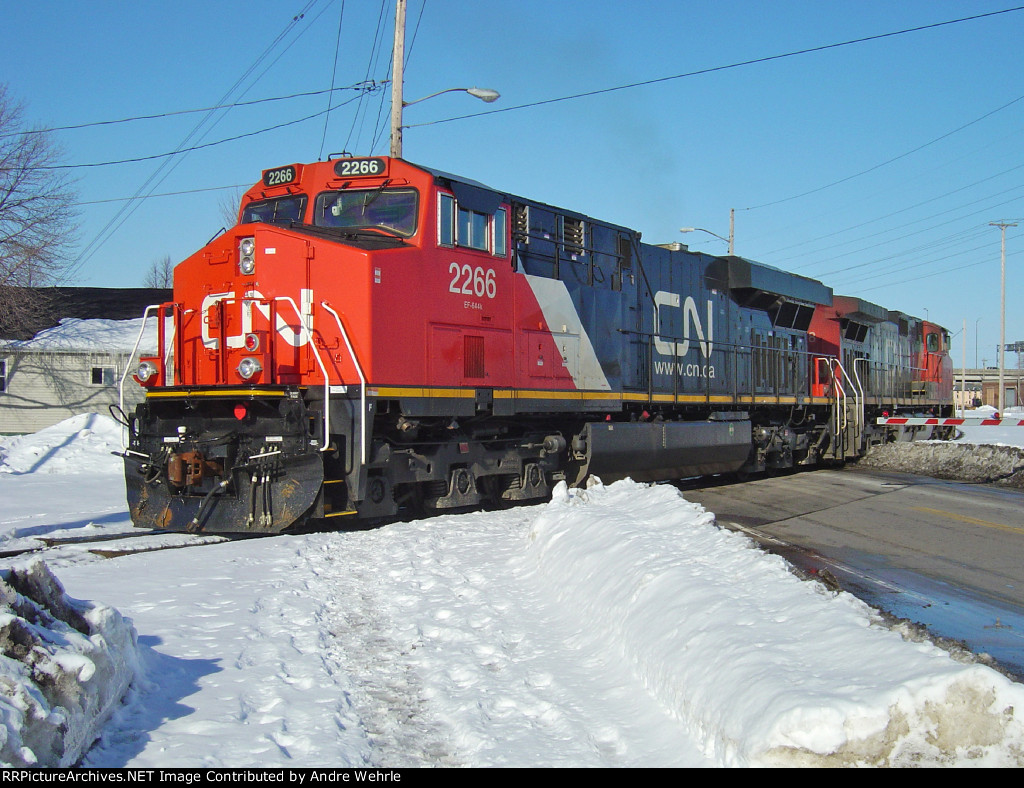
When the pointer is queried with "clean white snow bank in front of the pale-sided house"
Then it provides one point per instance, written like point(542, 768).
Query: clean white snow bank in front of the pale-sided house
point(80, 445)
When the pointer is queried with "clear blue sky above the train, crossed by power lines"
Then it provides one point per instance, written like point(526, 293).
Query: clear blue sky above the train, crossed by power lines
point(876, 167)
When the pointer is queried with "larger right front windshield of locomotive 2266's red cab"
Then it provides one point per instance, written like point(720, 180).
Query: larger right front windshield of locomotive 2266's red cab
point(391, 210)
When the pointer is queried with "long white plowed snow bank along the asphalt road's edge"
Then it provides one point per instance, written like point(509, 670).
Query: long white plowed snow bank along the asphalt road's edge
point(762, 668)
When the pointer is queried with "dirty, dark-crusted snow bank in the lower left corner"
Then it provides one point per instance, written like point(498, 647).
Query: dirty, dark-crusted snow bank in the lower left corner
point(65, 667)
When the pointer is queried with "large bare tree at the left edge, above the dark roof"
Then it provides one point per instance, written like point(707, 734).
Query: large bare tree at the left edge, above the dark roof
point(37, 221)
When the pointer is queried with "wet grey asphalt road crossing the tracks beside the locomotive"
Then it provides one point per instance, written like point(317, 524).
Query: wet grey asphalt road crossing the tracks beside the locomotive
point(946, 555)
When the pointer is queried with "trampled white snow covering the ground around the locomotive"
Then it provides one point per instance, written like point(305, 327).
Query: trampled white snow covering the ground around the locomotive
point(612, 627)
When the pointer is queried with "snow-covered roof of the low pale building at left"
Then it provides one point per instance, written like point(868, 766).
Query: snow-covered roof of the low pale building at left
point(78, 336)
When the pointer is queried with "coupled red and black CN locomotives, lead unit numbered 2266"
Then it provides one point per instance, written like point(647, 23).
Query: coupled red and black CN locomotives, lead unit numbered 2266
point(376, 337)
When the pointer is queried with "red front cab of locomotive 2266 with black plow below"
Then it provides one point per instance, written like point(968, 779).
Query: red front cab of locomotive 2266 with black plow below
point(303, 339)
